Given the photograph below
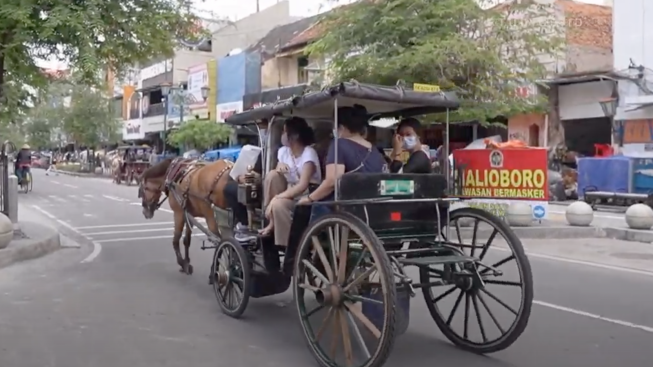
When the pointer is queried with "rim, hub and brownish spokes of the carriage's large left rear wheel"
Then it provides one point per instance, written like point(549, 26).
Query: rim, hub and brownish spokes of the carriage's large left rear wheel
point(344, 315)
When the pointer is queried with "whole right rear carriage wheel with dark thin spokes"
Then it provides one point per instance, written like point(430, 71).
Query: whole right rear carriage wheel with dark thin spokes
point(475, 289)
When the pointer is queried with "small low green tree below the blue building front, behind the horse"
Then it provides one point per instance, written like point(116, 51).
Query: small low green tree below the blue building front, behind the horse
point(200, 134)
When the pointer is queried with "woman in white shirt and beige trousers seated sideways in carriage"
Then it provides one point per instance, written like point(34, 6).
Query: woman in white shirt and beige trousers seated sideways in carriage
point(298, 168)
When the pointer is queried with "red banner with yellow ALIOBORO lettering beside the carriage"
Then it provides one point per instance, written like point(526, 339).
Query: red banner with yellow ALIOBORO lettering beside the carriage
point(509, 174)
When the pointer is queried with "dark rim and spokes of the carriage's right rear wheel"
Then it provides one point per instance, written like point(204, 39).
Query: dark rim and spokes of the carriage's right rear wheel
point(481, 302)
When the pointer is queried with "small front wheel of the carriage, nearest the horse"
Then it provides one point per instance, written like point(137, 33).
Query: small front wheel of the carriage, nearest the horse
point(231, 278)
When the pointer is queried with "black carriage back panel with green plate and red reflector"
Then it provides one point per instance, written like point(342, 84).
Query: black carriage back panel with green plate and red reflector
point(410, 217)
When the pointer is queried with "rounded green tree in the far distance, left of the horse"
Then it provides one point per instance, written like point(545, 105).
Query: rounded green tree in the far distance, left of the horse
point(90, 119)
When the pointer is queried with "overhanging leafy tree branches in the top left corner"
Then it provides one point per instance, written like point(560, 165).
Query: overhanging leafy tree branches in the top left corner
point(90, 35)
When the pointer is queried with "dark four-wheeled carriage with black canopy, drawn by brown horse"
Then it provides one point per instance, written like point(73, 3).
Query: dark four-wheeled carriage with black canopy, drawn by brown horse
point(348, 268)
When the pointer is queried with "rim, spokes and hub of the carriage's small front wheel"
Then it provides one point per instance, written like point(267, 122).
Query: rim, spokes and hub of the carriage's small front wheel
point(233, 285)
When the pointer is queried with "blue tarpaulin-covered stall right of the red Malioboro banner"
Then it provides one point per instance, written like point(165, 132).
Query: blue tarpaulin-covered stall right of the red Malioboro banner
point(610, 174)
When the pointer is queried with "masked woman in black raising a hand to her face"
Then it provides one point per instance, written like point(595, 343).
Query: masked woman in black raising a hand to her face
point(407, 139)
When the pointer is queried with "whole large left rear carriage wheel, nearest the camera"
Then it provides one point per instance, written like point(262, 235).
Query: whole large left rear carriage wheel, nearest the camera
point(342, 264)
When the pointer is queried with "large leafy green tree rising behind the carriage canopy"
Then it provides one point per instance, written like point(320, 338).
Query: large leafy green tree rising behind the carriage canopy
point(481, 54)
